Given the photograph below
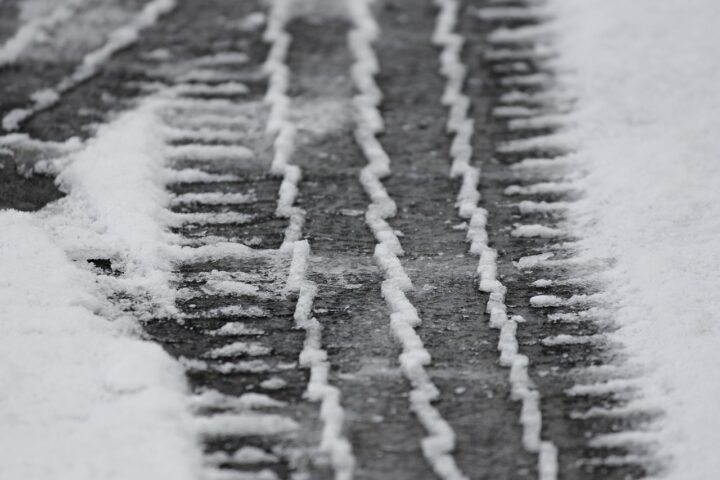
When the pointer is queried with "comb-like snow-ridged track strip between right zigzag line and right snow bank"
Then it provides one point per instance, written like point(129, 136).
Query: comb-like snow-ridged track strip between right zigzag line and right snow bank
point(533, 178)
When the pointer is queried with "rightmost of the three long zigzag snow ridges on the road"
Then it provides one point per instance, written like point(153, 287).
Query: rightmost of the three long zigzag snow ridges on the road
point(452, 67)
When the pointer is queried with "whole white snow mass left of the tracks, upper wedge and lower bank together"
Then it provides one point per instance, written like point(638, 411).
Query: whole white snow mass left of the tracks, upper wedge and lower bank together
point(84, 397)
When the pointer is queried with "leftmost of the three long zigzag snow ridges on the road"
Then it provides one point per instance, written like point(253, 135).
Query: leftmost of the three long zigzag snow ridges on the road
point(332, 414)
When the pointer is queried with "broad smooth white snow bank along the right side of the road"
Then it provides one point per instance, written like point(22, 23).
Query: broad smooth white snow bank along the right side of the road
point(647, 74)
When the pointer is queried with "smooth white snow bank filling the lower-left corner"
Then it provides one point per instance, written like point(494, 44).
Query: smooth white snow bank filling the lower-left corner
point(80, 396)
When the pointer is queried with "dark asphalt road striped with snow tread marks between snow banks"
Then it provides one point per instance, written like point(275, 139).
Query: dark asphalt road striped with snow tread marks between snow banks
point(347, 333)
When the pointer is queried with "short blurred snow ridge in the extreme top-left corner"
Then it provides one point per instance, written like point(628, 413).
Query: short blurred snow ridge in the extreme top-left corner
point(11, 50)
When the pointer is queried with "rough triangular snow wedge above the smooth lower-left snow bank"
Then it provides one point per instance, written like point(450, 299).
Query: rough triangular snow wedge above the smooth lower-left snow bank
point(115, 208)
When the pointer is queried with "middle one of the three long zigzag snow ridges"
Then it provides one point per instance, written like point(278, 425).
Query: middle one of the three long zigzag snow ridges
point(439, 443)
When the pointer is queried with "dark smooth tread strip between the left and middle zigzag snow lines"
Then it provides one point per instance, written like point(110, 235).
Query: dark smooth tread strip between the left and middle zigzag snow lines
point(384, 433)
